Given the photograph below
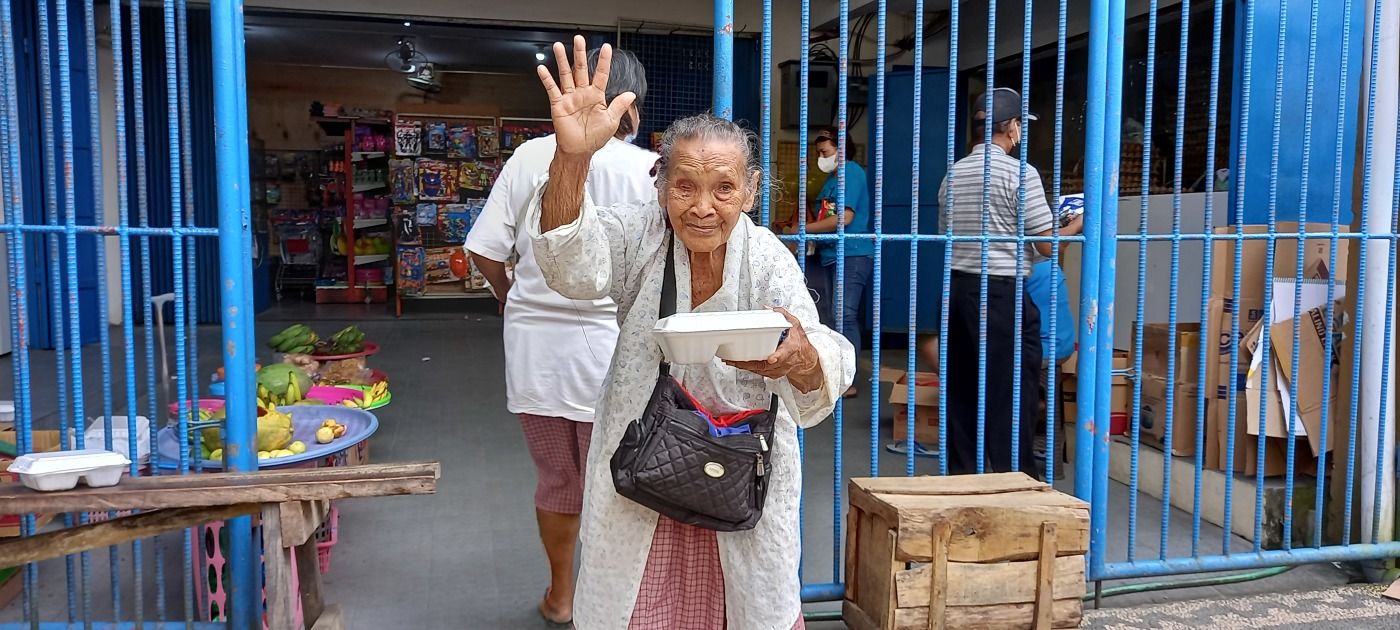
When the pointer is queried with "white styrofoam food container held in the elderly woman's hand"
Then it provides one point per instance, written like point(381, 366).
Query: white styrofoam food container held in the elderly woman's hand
point(696, 338)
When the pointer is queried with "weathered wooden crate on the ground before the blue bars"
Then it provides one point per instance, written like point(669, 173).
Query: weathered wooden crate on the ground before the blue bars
point(964, 552)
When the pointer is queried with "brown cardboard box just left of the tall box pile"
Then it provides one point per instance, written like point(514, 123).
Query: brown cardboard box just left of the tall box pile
point(1160, 386)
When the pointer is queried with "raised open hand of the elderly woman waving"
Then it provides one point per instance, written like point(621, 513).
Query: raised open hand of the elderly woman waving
point(579, 106)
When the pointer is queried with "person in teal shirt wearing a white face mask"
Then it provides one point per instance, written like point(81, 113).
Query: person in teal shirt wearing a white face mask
point(859, 251)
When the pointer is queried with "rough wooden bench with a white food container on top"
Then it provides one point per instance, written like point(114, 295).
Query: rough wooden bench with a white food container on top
point(292, 503)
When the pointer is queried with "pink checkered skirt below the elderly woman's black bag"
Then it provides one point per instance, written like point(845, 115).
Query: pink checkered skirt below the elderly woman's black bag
point(682, 587)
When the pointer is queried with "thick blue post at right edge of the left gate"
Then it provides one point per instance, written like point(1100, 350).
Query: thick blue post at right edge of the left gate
point(234, 227)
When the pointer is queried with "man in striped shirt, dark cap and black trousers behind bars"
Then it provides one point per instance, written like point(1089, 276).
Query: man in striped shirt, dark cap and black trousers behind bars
point(982, 197)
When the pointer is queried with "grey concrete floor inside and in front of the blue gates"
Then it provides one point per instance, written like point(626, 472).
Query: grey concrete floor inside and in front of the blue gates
point(468, 558)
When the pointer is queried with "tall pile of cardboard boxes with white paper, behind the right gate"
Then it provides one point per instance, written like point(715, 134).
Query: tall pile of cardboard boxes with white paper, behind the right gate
point(1248, 311)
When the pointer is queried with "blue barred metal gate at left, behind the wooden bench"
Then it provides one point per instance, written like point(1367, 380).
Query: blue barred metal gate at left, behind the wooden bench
point(64, 150)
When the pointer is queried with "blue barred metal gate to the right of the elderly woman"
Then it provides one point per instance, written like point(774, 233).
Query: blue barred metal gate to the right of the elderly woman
point(1258, 155)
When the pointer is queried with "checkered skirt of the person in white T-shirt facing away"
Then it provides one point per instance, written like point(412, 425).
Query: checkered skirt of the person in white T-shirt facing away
point(561, 451)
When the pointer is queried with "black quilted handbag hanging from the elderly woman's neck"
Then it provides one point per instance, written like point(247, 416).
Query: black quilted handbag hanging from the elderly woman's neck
point(671, 463)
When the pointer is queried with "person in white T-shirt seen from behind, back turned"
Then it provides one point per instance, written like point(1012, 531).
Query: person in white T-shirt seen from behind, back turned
point(558, 351)
